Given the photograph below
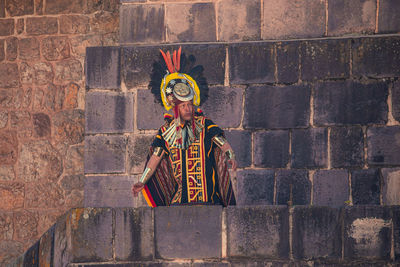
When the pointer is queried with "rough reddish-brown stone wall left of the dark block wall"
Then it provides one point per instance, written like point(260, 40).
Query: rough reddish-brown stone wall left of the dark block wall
point(42, 50)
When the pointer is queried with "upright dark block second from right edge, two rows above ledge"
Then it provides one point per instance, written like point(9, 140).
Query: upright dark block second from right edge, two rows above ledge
point(347, 147)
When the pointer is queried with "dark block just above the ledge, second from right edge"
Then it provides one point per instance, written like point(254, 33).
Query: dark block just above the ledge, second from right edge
point(365, 187)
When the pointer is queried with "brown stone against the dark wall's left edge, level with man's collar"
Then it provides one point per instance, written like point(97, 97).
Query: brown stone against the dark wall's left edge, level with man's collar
point(69, 126)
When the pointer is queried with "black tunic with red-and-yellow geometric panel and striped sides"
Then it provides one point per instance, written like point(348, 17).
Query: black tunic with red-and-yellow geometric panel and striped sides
point(196, 175)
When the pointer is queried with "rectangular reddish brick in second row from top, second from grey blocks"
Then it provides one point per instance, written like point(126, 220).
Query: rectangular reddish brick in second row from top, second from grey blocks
point(73, 24)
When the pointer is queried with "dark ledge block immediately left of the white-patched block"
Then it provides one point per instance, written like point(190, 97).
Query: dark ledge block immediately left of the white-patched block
point(317, 233)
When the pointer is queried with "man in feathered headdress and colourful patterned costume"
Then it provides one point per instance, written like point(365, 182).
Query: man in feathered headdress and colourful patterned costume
point(188, 157)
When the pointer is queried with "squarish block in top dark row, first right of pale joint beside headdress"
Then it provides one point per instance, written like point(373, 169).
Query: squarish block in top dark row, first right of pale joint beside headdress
point(251, 63)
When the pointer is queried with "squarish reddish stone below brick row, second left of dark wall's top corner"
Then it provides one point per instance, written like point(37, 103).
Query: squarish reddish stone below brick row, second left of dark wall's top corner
point(55, 48)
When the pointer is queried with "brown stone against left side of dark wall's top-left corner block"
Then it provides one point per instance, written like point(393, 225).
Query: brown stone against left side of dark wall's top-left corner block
point(68, 70)
